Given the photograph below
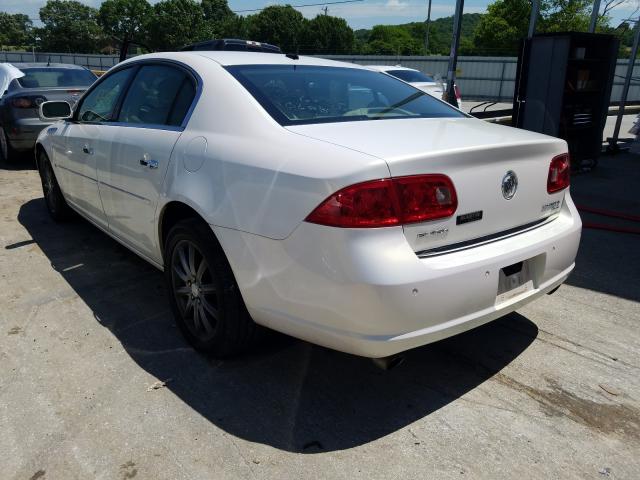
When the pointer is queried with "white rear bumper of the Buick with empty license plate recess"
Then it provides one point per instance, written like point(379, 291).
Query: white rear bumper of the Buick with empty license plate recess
point(367, 293)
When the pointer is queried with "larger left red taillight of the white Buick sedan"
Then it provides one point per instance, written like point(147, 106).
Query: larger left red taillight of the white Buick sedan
point(388, 202)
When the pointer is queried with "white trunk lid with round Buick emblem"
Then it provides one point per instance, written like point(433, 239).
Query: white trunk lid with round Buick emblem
point(476, 155)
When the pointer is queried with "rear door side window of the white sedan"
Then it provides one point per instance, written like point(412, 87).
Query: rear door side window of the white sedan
point(159, 95)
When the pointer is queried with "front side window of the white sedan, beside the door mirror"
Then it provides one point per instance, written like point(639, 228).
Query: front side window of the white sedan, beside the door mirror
point(100, 104)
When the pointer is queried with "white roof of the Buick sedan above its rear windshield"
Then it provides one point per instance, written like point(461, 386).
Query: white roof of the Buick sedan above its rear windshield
point(229, 58)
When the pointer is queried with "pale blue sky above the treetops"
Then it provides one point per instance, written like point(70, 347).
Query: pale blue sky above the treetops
point(362, 14)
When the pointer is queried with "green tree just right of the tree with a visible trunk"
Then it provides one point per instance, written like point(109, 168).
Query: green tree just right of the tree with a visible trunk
point(176, 23)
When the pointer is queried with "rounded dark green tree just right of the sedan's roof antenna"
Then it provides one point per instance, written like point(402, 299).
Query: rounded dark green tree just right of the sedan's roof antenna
point(327, 34)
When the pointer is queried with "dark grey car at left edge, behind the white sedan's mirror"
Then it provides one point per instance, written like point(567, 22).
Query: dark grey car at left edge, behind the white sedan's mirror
point(23, 87)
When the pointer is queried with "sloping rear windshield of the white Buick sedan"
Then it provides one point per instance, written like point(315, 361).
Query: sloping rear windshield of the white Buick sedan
point(298, 95)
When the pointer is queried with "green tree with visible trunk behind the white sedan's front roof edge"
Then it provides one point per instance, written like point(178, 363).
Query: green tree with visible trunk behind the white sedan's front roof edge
point(124, 21)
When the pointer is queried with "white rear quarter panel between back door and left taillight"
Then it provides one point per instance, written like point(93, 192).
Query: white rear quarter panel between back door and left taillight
point(240, 169)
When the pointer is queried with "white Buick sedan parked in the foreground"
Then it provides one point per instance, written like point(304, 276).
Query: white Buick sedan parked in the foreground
point(312, 197)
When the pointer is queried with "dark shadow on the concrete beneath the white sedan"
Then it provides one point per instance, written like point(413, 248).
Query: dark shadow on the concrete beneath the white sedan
point(287, 394)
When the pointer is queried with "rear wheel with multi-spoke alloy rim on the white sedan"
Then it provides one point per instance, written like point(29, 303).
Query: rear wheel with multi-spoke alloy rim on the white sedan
point(203, 292)
